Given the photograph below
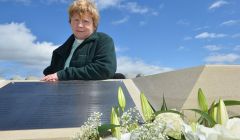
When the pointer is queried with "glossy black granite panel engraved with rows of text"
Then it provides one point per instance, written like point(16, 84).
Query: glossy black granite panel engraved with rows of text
point(42, 105)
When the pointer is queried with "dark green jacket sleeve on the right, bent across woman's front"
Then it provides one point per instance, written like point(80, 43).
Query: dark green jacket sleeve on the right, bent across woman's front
point(103, 65)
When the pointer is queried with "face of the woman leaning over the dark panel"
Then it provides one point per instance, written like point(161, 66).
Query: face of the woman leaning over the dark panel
point(82, 27)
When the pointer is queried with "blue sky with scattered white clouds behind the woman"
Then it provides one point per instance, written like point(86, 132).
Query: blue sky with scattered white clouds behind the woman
point(150, 36)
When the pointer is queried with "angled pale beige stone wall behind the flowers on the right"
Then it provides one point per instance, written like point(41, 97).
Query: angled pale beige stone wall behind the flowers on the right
point(180, 87)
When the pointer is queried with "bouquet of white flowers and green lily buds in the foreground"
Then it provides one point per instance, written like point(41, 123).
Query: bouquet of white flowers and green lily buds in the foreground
point(165, 124)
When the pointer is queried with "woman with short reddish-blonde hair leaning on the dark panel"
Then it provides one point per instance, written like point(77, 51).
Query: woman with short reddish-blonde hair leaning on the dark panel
point(87, 54)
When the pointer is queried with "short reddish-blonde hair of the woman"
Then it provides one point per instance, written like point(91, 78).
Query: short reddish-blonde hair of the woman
point(84, 6)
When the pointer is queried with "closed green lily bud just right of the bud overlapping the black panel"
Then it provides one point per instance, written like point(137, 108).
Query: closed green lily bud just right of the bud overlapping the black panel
point(147, 110)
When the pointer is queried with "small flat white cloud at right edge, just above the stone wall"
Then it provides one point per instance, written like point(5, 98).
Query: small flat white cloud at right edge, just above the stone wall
point(222, 58)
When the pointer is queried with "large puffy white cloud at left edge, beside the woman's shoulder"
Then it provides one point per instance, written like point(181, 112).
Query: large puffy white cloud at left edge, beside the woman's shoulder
point(19, 46)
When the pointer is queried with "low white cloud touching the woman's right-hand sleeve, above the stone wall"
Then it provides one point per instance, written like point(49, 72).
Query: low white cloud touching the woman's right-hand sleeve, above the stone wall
point(131, 67)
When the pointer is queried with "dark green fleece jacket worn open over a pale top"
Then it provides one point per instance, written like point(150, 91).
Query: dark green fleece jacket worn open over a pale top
point(94, 59)
